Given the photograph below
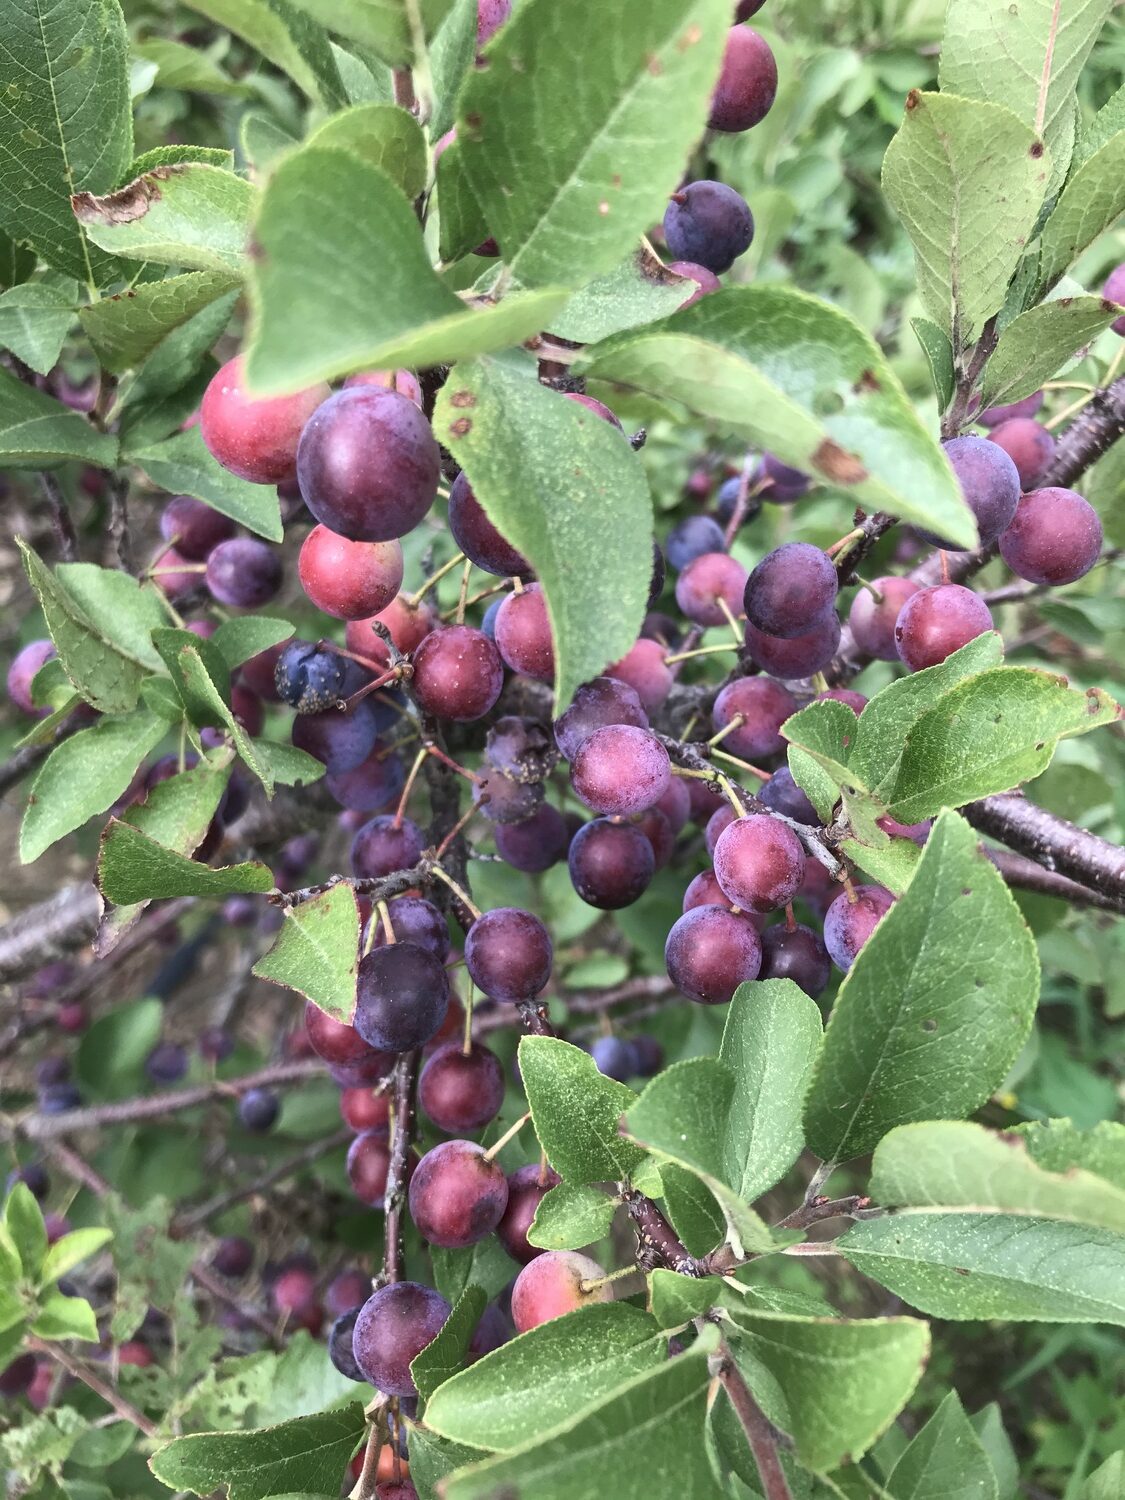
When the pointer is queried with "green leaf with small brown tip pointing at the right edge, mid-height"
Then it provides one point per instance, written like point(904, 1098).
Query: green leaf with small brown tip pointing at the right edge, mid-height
point(989, 734)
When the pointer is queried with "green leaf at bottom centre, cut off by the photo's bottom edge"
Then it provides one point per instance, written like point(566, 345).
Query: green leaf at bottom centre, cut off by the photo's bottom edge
point(658, 1415)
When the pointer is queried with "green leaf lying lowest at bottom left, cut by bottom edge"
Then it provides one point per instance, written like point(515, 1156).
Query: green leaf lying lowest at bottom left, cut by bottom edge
point(304, 1457)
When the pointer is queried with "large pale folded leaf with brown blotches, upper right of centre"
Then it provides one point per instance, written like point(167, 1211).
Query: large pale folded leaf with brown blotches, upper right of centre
point(800, 377)
